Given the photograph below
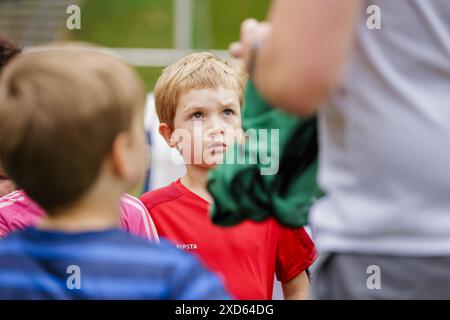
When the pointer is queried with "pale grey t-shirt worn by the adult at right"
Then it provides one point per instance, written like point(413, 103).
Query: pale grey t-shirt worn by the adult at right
point(385, 137)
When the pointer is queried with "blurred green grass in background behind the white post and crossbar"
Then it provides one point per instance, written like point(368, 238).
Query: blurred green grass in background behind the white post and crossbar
point(149, 24)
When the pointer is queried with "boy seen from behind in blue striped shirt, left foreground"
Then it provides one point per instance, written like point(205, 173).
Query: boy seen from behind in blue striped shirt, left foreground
point(71, 136)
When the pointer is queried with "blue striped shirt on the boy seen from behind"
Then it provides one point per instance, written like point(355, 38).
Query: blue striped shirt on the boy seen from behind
point(110, 264)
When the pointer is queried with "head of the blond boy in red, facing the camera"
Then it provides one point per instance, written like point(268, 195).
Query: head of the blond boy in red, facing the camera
point(198, 101)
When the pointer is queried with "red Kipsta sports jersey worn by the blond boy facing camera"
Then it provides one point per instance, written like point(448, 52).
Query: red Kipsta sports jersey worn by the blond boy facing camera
point(246, 256)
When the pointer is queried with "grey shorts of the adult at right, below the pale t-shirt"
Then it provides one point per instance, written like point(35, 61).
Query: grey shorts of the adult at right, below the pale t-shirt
point(354, 276)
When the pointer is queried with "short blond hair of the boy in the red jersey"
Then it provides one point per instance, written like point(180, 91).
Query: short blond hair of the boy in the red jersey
point(195, 71)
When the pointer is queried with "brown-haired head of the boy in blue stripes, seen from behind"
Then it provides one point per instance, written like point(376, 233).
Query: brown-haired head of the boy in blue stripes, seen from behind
point(71, 121)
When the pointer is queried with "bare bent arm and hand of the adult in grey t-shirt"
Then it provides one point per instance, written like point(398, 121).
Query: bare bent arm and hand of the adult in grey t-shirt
point(302, 51)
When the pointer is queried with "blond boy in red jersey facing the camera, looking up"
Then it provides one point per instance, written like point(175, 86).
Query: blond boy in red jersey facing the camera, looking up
point(198, 102)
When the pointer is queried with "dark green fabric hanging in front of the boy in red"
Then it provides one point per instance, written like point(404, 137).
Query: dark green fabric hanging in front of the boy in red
point(241, 191)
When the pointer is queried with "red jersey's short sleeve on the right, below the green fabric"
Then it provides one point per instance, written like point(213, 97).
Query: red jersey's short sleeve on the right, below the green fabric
point(295, 253)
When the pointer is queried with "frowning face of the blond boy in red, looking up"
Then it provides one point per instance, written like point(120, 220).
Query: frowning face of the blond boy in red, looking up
point(211, 119)
